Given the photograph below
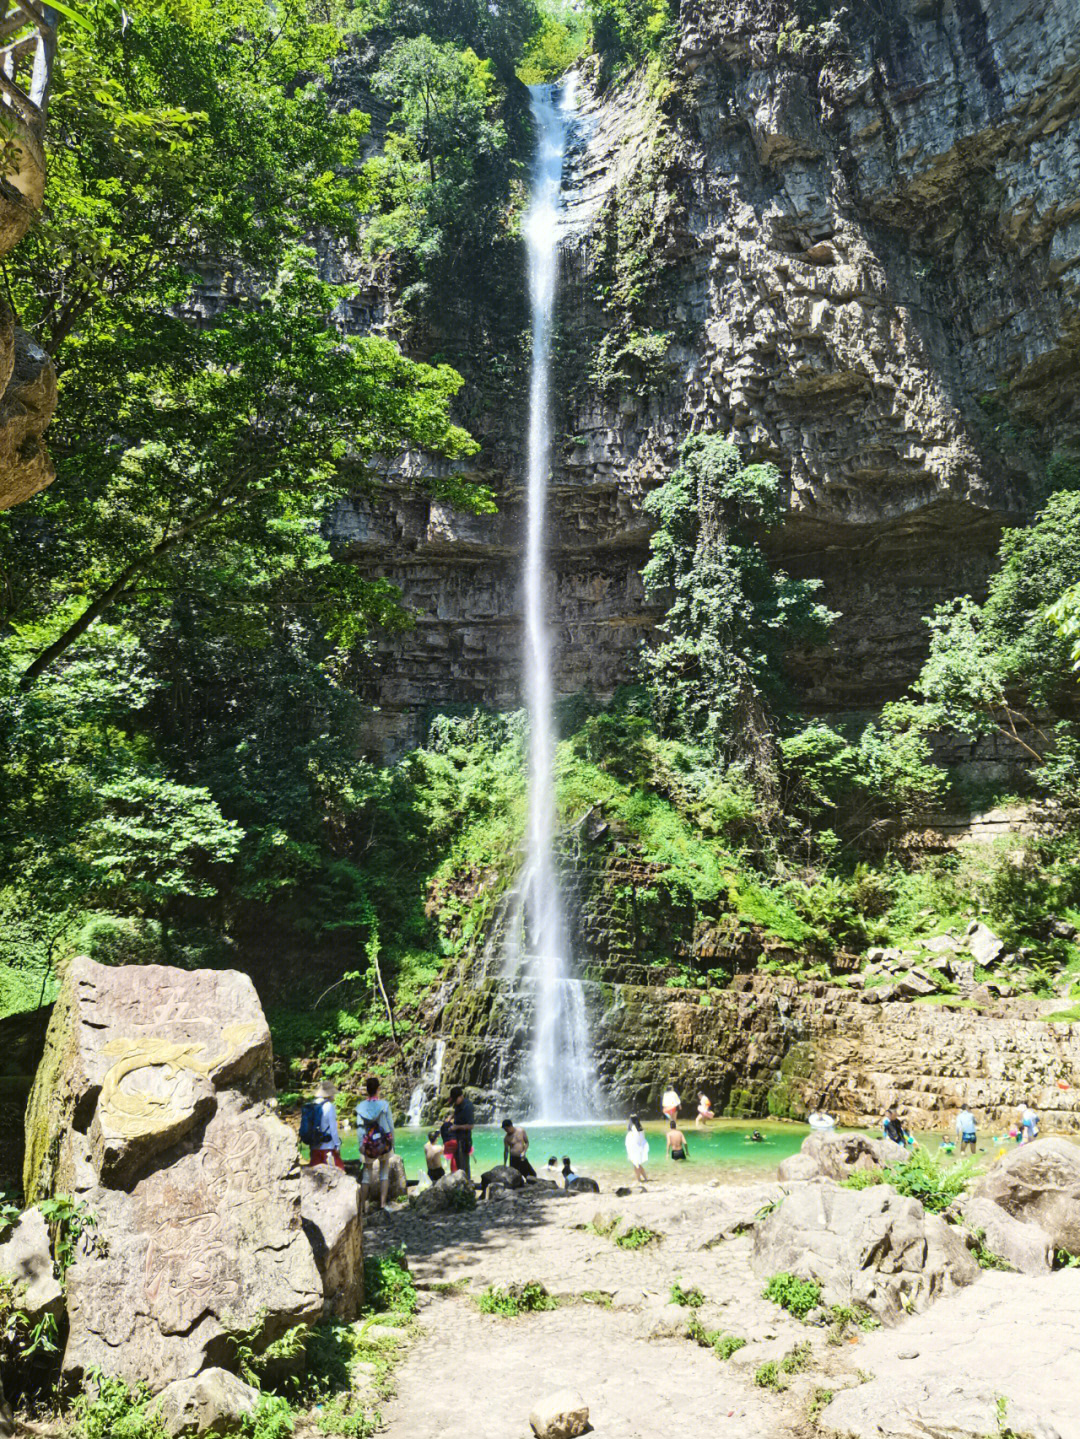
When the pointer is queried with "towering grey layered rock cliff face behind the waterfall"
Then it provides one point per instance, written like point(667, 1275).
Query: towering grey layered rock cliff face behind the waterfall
point(854, 248)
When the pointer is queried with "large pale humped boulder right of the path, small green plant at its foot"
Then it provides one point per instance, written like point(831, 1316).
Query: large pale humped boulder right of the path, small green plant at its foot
point(869, 1247)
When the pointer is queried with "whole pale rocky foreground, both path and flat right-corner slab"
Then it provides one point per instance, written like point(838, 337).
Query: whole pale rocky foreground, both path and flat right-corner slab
point(986, 1358)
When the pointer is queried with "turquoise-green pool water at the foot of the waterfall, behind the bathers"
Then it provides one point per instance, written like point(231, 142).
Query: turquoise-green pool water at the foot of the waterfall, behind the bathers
point(599, 1150)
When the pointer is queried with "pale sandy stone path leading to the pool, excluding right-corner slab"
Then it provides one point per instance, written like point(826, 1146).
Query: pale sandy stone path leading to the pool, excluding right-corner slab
point(616, 1338)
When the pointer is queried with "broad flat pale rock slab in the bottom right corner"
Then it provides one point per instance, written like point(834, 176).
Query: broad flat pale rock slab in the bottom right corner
point(1009, 1338)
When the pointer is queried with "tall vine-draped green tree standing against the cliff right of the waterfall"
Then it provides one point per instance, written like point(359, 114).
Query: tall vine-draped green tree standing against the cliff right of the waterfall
point(731, 615)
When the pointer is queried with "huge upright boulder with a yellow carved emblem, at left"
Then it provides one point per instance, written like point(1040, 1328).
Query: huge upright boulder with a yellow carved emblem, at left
point(152, 1109)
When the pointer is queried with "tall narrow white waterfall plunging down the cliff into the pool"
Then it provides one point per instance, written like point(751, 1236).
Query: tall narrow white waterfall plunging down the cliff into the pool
point(562, 1061)
